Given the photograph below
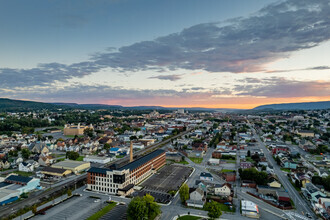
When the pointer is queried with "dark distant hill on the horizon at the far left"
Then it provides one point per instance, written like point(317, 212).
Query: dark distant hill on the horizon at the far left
point(19, 105)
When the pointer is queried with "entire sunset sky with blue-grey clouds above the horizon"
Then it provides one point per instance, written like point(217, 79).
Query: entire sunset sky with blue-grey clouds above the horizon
point(187, 53)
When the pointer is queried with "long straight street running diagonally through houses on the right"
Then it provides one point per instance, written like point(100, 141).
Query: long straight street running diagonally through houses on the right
point(300, 204)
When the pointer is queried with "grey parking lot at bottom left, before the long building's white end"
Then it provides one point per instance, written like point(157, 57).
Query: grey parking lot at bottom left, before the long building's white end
point(75, 208)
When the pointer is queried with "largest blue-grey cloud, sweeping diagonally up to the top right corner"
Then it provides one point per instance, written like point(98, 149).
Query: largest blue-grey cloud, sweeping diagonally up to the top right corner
point(244, 44)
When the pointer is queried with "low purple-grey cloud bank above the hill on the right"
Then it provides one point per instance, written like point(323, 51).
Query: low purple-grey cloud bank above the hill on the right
point(282, 88)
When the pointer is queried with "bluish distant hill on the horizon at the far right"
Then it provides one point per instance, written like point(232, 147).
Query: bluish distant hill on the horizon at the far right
point(295, 106)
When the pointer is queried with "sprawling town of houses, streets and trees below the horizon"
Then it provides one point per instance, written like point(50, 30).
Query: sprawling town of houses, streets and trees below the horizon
point(111, 164)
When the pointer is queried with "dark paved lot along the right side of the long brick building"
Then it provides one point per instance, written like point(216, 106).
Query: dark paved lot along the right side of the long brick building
point(168, 178)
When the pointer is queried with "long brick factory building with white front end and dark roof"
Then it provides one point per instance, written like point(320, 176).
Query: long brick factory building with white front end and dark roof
point(116, 181)
